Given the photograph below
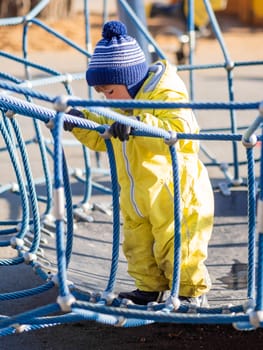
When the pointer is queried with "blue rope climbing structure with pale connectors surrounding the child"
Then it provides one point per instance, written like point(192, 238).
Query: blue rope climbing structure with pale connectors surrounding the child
point(21, 98)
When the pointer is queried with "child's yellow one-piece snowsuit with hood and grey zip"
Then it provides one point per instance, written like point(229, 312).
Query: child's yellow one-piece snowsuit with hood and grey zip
point(146, 191)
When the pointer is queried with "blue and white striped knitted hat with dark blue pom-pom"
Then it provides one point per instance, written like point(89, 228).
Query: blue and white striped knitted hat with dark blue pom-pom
point(117, 58)
